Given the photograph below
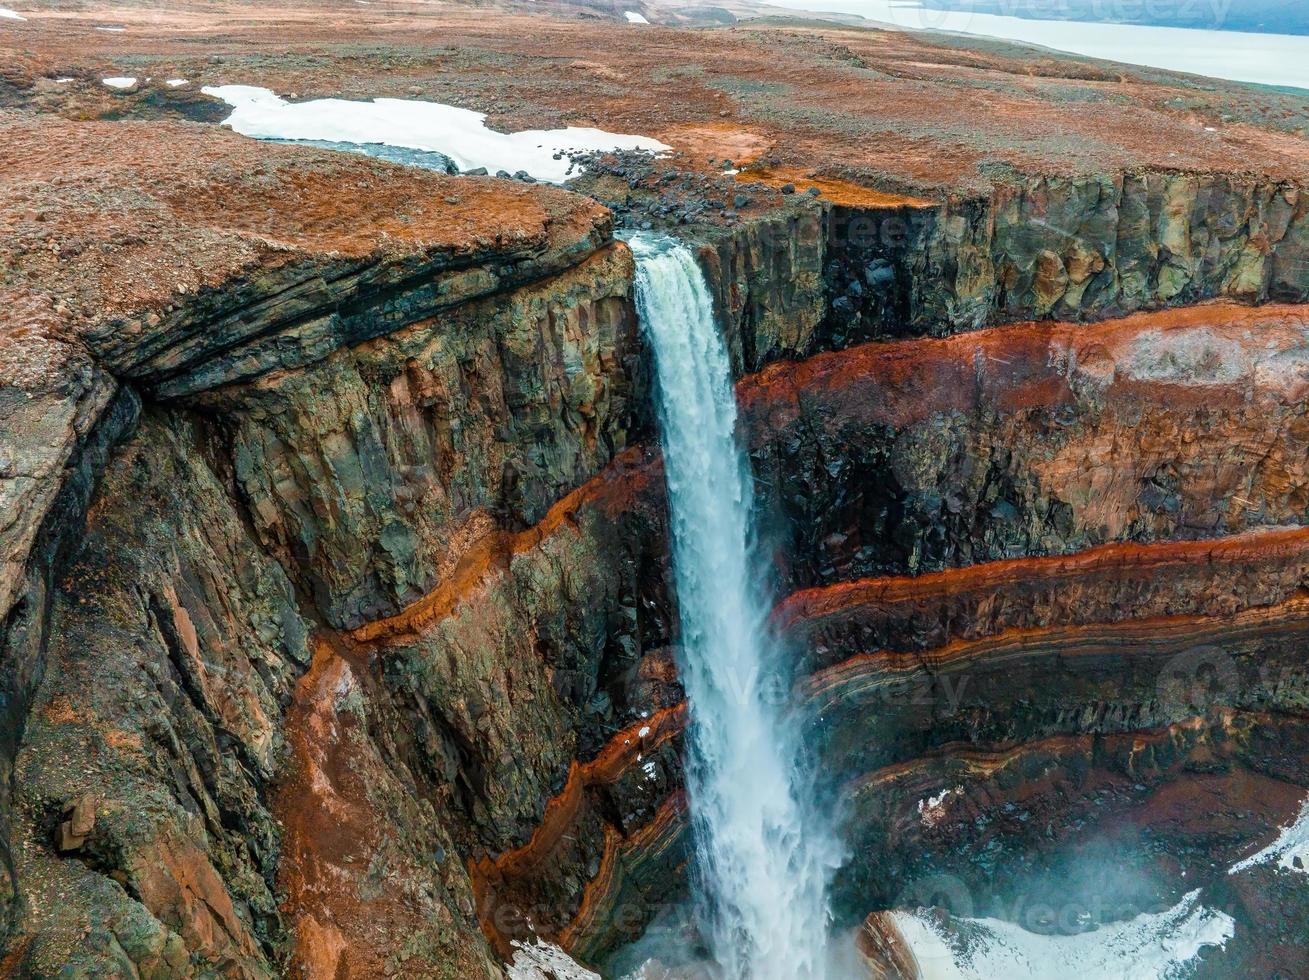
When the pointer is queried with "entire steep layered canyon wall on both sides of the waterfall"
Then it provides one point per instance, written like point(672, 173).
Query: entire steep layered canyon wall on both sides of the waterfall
point(338, 614)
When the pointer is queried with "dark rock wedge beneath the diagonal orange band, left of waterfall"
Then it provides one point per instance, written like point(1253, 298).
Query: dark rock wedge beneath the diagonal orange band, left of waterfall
point(515, 674)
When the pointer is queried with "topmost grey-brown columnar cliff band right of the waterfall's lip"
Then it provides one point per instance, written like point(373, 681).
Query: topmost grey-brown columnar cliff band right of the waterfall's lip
point(866, 266)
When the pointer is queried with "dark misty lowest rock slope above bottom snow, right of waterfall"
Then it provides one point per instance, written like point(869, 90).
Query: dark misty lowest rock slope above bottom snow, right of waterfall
point(985, 820)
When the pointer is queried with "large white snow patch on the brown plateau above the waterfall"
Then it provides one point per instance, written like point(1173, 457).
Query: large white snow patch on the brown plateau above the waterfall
point(460, 134)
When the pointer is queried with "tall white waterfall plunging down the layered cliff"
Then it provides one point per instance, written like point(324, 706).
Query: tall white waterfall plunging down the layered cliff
point(764, 858)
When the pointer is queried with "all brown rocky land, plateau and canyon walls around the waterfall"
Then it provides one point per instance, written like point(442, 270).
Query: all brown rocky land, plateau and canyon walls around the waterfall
point(340, 616)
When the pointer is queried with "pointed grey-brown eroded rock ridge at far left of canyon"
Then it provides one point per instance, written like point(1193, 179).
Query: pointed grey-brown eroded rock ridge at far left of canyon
point(172, 644)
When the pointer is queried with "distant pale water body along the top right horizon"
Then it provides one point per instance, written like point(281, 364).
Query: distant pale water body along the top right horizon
point(1266, 60)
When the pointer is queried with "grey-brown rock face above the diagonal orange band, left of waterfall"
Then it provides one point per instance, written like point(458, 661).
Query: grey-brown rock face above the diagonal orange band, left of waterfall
point(372, 473)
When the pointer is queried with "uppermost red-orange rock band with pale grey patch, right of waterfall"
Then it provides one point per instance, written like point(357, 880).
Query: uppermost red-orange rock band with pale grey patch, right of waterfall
point(1194, 357)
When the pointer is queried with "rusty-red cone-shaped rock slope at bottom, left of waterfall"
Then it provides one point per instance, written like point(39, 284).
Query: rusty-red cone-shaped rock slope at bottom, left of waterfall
point(371, 880)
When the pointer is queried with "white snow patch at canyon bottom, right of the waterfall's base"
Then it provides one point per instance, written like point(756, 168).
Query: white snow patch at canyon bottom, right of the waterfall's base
point(1151, 947)
